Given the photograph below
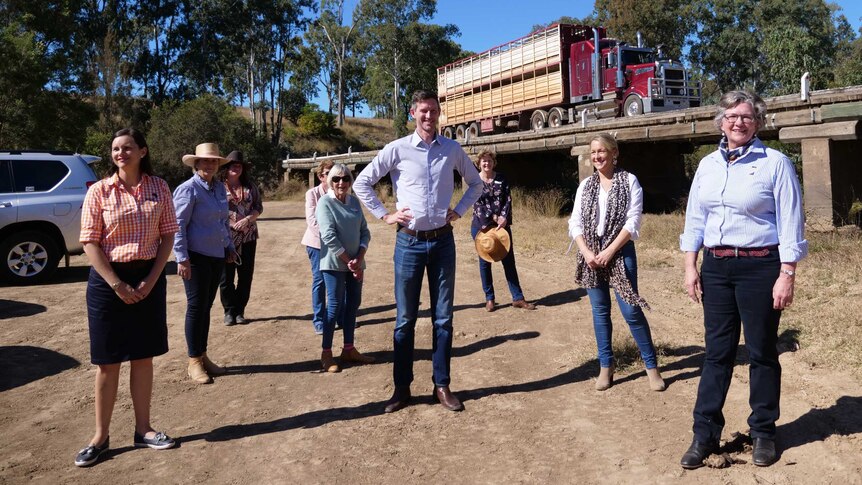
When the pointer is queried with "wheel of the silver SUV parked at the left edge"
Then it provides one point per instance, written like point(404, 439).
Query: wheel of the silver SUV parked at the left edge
point(29, 256)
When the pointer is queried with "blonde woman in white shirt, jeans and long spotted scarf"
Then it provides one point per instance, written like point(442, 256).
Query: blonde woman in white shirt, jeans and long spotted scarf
point(604, 224)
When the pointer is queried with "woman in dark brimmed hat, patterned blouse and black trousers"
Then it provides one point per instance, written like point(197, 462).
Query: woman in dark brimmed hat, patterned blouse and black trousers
point(244, 206)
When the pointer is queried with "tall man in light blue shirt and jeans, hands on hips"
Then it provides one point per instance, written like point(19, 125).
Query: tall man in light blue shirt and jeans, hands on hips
point(421, 167)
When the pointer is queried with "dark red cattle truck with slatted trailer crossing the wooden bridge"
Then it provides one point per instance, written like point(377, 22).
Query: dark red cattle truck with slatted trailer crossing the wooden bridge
point(558, 75)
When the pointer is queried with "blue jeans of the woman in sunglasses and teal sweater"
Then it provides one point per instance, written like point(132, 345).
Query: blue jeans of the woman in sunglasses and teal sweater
point(344, 295)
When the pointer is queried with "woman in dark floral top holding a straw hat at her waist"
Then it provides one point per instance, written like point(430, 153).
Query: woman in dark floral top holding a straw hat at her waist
point(494, 209)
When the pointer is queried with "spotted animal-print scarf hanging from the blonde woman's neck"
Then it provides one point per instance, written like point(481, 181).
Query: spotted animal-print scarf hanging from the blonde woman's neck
point(615, 219)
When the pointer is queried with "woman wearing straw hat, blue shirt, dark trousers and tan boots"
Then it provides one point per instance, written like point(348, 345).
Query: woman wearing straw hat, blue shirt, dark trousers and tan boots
point(201, 246)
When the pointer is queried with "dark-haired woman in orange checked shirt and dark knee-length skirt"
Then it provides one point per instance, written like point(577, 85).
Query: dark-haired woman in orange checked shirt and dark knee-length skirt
point(127, 229)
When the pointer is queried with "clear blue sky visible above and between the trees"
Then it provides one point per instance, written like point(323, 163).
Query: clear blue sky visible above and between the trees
point(488, 23)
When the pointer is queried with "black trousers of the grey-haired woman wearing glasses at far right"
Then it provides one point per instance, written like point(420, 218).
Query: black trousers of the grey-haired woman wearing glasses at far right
point(737, 295)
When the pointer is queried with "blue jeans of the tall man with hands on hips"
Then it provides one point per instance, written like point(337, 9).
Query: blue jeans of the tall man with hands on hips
point(413, 258)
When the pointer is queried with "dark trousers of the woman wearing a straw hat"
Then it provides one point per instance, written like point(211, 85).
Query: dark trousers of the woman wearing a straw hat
point(201, 289)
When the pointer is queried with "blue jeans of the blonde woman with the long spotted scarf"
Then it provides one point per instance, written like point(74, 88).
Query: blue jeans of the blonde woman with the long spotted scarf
point(600, 300)
